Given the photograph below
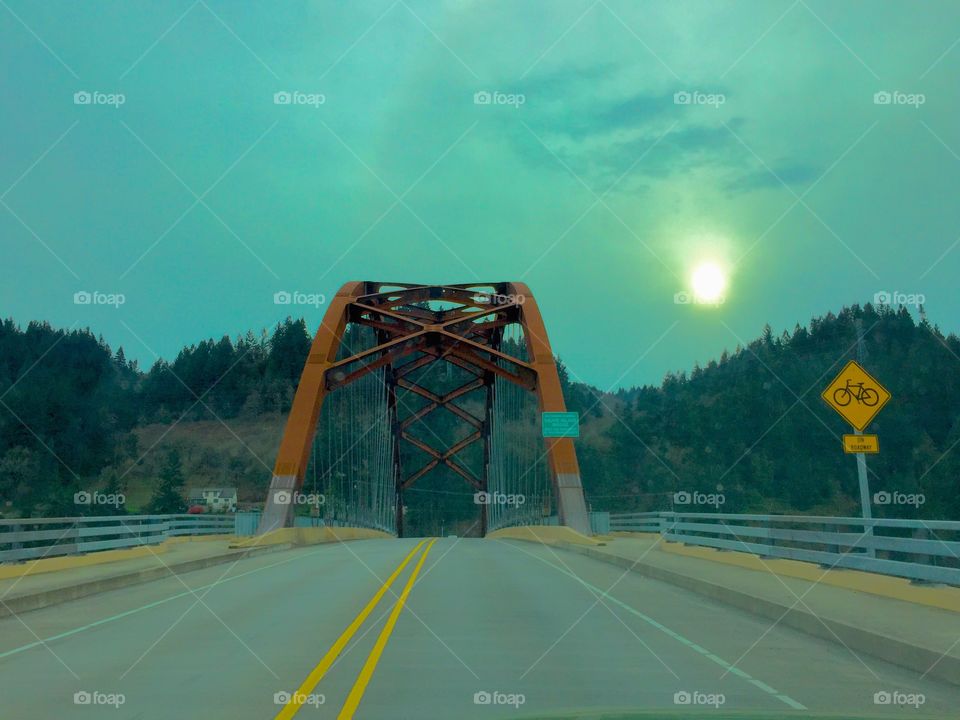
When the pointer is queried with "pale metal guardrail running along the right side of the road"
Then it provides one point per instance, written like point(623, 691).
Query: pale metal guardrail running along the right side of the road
point(921, 550)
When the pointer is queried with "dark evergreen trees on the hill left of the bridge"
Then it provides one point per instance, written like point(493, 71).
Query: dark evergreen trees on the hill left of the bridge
point(72, 411)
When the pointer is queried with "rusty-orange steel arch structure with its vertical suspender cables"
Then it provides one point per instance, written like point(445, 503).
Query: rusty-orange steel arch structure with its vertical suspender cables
point(494, 334)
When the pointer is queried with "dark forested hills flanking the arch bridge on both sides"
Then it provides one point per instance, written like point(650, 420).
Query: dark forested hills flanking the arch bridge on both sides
point(750, 425)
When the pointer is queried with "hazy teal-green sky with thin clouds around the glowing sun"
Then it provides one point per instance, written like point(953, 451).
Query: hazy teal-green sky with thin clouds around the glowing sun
point(181, 162)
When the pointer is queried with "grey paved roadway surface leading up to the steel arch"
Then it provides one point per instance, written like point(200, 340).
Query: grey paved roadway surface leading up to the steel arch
point(534, 629)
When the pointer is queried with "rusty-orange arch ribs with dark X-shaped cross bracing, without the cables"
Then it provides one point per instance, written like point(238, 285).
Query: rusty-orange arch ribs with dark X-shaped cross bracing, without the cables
point(417, 325)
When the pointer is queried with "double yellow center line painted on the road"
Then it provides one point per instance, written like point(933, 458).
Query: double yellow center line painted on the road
point(356, 693)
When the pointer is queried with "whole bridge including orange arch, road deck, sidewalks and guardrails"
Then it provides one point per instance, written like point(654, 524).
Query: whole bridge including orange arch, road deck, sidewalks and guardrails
point(327, 604)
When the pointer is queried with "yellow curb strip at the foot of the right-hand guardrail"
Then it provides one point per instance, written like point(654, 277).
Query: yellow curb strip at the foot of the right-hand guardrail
point(945, 598)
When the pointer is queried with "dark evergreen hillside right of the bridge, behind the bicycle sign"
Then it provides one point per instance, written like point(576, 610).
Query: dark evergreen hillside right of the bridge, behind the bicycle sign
point(752, 424)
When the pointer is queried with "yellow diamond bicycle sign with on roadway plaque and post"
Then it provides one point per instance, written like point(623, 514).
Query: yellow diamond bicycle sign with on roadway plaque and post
point(858, 396)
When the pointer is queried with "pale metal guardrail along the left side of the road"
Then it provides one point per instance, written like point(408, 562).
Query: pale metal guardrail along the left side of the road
point(33, 538)
